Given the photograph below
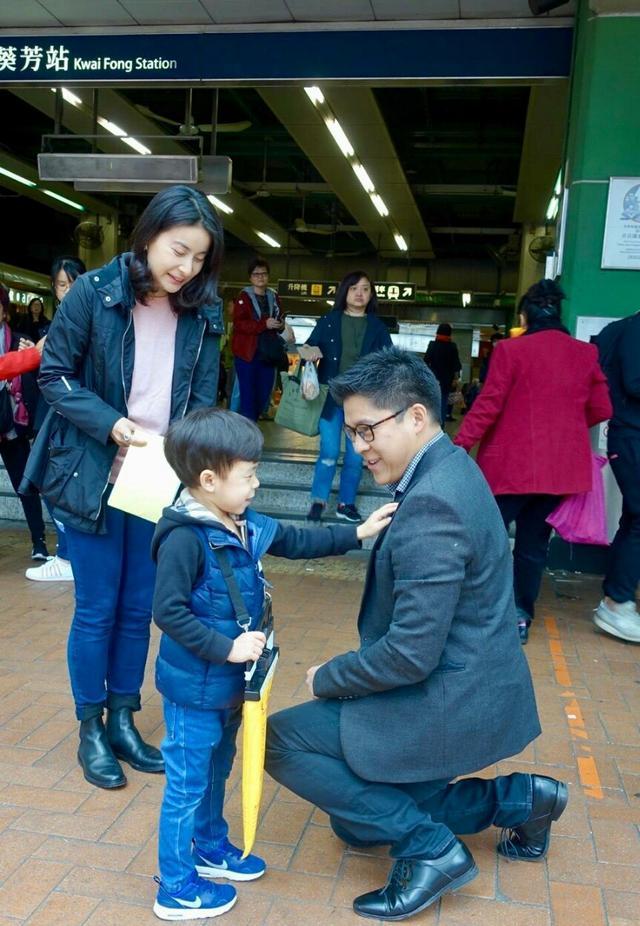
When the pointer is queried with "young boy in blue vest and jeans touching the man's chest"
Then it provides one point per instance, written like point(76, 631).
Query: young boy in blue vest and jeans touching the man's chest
point(200, 667)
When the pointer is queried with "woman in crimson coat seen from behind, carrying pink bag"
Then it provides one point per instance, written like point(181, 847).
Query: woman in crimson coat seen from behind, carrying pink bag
point(543, 392)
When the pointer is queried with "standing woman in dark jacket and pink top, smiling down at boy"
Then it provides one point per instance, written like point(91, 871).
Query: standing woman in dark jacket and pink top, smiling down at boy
point(133, 346)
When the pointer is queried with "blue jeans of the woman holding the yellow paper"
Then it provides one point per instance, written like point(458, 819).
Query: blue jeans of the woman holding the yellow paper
point(109, 636)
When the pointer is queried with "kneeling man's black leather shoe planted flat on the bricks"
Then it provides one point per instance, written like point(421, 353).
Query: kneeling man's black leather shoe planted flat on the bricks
point(415, 884)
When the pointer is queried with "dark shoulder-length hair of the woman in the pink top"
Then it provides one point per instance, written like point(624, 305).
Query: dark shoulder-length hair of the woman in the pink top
point(177, 205)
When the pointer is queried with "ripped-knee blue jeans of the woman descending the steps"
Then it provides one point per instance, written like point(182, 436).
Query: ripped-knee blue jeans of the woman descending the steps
point(330, 441)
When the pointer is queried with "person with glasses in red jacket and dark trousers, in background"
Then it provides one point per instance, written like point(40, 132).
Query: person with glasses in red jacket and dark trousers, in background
point(258, 340)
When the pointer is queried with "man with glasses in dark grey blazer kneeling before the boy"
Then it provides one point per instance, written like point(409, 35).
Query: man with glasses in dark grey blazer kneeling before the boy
point(439, 686)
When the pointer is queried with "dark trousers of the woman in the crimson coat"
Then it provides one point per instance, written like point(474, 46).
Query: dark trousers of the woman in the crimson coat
point(532, 542)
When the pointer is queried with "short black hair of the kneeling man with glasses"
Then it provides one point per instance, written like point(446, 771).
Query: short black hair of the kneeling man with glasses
point(390, 379)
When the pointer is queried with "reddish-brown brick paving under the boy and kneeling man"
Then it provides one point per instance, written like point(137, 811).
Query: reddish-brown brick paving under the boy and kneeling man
point(71, 854)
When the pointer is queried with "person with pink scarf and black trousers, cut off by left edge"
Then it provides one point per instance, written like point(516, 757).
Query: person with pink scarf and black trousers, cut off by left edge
point(18, 400)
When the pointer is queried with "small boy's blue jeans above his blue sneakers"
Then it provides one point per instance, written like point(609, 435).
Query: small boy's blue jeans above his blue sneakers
point(198, 750)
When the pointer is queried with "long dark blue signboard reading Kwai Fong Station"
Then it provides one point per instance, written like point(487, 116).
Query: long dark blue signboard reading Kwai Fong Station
point(531, 52)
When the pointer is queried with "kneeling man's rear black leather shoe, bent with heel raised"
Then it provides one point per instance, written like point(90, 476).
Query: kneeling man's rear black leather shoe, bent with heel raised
point(529, 842)
